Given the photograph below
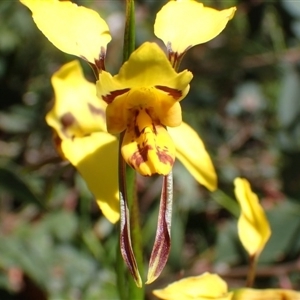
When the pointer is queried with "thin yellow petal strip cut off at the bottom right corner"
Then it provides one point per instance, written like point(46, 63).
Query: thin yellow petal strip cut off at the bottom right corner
point(266, 294)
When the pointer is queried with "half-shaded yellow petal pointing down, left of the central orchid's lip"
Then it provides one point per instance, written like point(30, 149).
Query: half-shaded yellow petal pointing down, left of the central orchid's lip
point(96, 158)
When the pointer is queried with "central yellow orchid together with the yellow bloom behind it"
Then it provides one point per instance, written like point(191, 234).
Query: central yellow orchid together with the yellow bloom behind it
point(141, 105)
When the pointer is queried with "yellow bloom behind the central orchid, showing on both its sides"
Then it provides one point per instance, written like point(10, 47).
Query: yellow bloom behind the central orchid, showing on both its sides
point(78, 118)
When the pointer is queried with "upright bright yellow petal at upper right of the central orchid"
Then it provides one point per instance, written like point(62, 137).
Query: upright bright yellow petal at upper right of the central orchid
point(183, 24)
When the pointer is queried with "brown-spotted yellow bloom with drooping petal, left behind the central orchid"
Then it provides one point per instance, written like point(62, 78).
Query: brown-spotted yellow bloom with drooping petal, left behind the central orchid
point(78, 118)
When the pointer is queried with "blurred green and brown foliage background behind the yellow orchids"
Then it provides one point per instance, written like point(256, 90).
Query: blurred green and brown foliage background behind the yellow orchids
point(245, 104)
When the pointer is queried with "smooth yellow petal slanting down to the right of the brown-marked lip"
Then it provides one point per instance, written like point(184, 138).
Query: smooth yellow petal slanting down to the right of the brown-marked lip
point(191, 152)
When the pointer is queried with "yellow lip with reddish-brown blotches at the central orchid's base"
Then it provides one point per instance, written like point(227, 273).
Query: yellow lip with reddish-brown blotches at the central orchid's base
point(148, 148)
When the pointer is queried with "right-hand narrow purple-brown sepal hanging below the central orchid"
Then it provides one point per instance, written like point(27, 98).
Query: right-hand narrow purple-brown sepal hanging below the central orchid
point(162, 243)
